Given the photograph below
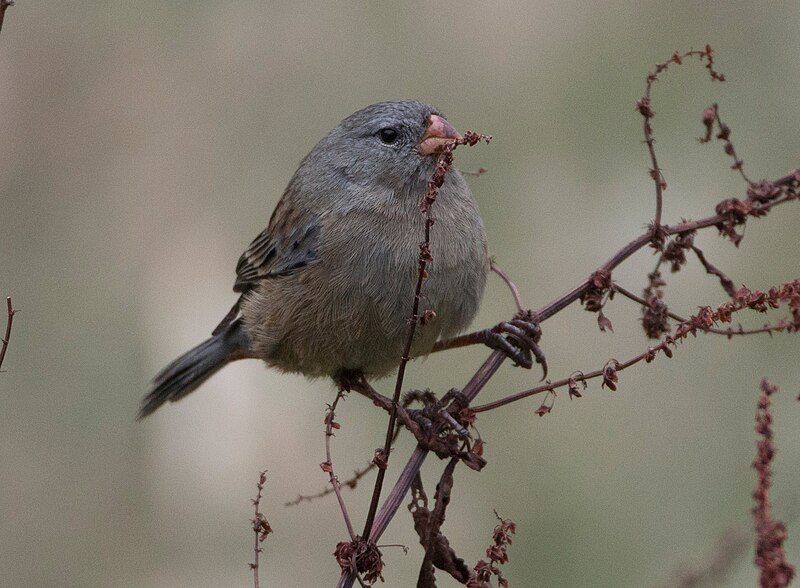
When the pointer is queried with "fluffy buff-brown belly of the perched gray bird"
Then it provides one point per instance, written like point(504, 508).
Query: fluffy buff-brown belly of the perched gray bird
point(355, 317)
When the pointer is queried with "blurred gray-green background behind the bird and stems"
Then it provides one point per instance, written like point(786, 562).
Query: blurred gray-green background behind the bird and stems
point(143, 145)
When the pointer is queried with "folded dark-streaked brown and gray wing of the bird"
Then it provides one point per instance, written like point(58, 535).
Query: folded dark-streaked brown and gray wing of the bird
point(288, 244)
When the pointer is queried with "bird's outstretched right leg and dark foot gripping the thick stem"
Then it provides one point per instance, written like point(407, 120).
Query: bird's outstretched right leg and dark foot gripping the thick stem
point(517, 338)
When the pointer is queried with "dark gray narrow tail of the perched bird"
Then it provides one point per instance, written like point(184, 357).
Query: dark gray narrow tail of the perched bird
point(195, 366)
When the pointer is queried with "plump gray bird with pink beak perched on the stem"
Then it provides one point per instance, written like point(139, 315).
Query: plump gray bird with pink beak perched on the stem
point(328, 287)
